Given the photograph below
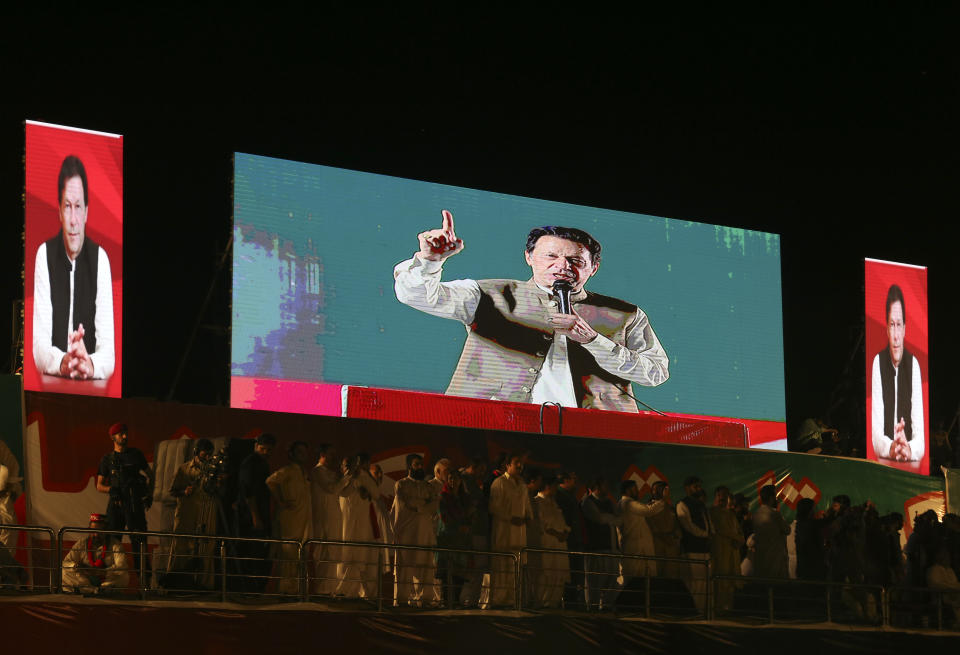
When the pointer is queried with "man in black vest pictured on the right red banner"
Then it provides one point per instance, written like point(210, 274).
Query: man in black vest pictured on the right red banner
point(896, 417)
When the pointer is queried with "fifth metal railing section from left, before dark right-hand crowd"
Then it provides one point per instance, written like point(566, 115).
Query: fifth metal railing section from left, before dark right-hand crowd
point(787, 600)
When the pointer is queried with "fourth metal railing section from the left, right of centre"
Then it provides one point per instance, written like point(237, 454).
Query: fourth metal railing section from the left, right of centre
point(675, 587)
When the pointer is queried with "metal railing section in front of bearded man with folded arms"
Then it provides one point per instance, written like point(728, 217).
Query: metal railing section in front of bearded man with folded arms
point(411, 576)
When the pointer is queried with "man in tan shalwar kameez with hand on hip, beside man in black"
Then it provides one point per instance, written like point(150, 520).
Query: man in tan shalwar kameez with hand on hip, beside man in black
point(290, 488)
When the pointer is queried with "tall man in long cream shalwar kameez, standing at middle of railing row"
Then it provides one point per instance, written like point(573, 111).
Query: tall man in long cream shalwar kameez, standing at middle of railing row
point(511, 513)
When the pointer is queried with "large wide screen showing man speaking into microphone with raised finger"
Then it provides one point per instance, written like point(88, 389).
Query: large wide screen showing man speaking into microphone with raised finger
point(325, 293)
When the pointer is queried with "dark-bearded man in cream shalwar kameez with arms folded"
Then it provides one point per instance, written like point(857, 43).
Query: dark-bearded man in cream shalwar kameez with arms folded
point(415, 504)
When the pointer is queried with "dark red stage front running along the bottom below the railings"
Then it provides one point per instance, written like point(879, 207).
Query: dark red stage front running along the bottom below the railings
point(50, 624)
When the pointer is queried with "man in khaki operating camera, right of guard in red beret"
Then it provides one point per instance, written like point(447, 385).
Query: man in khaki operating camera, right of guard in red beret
point(196, 487)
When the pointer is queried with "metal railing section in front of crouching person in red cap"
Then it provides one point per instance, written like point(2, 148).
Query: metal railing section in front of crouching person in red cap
point(194, 563)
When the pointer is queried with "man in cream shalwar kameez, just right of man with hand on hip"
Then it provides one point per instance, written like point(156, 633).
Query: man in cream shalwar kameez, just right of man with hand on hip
point(325, 485)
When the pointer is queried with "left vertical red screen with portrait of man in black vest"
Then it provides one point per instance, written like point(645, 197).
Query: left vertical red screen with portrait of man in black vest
point(73, 264)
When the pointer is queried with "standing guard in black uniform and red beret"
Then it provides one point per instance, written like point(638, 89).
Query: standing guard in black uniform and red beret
point(126, 476)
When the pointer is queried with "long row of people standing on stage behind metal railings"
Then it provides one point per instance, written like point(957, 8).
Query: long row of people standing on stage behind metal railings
point(450, 538)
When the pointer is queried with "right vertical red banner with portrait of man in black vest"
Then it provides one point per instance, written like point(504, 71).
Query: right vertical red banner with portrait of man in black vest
point(897, 365)
